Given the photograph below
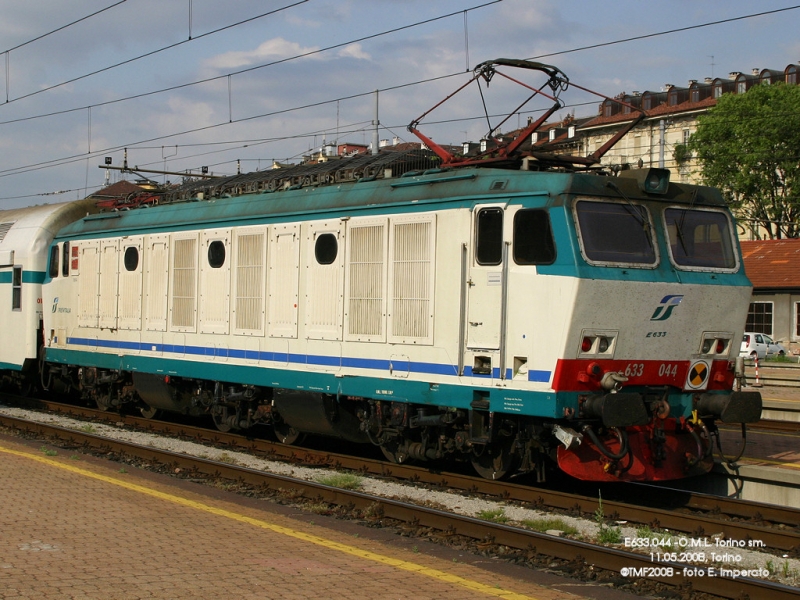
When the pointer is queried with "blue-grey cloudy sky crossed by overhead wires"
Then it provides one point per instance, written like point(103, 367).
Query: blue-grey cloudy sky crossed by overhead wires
point(238, 84)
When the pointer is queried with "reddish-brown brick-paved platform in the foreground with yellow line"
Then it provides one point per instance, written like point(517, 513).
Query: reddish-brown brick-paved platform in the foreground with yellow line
point(74, 526)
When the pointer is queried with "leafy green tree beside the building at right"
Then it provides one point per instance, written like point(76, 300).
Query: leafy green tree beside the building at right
point(748, 145)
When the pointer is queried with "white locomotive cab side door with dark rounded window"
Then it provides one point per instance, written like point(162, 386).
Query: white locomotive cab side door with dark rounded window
point(484, 283)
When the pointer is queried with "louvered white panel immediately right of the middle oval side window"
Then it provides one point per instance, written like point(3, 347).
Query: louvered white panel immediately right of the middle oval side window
point(250, 274)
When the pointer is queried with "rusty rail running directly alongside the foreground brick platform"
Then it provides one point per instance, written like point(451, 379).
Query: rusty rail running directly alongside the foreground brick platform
point(524, 542)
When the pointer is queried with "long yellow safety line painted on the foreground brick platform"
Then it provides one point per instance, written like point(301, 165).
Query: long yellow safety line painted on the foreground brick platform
point(474, 586)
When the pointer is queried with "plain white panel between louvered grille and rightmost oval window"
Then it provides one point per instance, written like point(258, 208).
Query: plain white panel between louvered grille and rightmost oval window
point(283, 280)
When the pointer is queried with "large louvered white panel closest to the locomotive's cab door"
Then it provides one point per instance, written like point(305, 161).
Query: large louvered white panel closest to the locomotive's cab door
point(412, 280)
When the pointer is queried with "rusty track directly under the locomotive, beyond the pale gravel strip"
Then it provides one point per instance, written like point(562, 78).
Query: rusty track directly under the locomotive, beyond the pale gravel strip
point(675, 510)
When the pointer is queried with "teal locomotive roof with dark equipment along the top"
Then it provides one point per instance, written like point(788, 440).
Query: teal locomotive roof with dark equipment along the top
point(390, 182)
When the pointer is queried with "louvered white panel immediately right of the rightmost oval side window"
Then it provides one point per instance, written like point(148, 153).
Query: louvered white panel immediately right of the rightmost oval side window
point(366, 281)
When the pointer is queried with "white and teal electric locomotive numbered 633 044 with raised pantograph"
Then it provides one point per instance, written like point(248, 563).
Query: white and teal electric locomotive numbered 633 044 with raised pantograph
point(507, 308)
